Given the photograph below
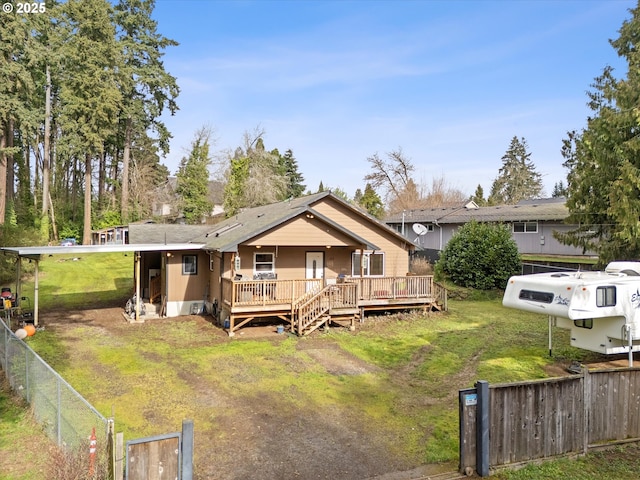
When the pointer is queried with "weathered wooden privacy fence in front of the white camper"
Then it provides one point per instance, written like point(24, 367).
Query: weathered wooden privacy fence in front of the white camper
point(510, 424)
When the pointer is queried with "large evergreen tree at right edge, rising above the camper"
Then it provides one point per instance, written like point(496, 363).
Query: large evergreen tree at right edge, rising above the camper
point(603, 193)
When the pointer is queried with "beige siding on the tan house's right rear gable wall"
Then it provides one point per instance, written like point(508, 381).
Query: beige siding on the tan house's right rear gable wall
point(394, 248)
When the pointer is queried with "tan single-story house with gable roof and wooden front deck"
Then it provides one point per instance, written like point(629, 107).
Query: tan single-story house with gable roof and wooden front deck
point(307, 261)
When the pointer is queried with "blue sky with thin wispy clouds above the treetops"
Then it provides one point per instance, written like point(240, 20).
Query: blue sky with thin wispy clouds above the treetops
point(448, 82)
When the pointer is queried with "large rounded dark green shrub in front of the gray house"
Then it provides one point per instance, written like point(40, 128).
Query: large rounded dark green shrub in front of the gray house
point(479, 255)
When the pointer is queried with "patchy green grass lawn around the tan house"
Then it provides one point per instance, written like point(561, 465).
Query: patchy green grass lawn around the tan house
point(401, 389)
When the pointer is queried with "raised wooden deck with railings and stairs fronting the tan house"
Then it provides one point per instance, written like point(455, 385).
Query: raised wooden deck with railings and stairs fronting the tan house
point(308, 304)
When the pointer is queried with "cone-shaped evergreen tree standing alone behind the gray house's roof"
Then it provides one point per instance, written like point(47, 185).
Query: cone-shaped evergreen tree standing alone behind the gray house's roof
point(517, 178)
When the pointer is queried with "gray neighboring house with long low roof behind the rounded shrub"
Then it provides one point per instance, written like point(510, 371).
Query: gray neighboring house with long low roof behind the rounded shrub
point(532, 223)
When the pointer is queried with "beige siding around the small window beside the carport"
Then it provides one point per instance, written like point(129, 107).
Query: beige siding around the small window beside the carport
point(187, 287)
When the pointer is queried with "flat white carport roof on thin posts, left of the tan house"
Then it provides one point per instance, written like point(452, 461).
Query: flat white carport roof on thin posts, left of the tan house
point(36, 254)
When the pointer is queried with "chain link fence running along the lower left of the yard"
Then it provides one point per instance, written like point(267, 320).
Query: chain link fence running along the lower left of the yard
point(65, 416)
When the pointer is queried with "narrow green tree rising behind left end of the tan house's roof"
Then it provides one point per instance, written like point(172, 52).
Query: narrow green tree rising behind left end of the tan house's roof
point(193, 179)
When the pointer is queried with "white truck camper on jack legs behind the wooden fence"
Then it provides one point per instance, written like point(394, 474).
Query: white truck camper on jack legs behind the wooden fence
point(601, 309)
